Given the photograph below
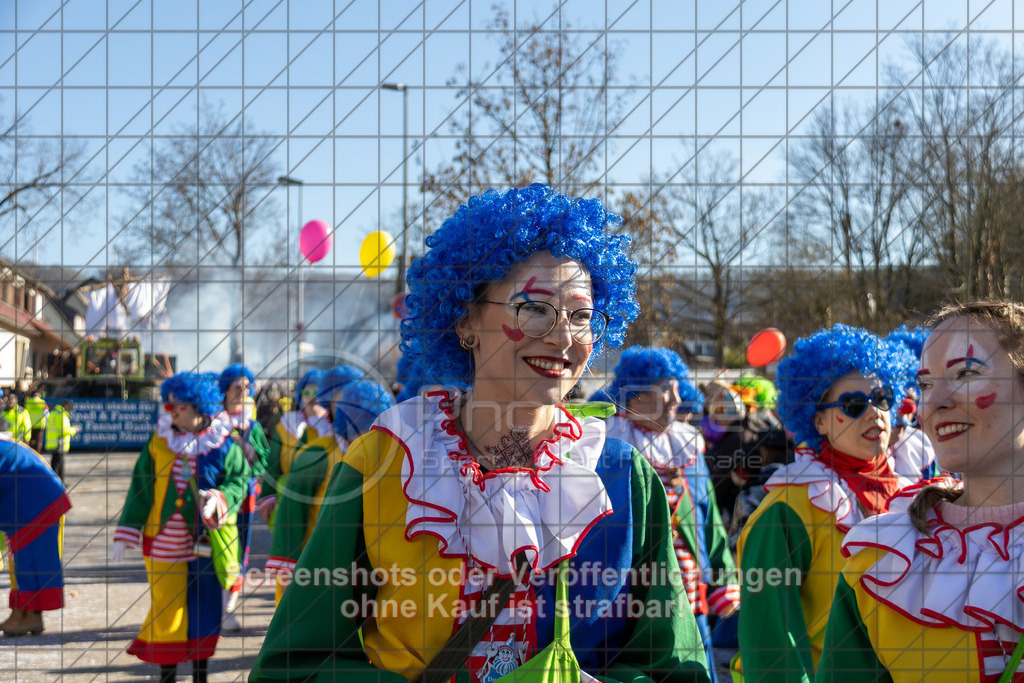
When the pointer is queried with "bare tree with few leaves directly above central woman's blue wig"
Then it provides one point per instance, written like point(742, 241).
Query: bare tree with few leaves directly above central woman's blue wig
point(543, 114)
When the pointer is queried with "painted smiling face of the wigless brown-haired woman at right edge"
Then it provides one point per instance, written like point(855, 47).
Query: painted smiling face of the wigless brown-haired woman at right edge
point(972, 403)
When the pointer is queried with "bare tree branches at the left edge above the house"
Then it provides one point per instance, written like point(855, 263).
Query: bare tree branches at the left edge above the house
point(36, 175)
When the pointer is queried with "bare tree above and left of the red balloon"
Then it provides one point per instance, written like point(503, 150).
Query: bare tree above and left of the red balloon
point(703, 227)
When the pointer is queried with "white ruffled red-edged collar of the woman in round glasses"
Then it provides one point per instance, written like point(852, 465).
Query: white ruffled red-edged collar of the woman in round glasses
point(492, 517)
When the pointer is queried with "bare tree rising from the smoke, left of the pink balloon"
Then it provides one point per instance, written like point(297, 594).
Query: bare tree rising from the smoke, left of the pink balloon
point(203, 200)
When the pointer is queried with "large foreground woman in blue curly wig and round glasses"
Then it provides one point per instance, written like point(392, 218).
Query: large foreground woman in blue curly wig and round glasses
point(498, 497)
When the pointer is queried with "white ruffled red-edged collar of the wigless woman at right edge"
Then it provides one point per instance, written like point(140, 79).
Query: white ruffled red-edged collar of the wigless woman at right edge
point(971, 578)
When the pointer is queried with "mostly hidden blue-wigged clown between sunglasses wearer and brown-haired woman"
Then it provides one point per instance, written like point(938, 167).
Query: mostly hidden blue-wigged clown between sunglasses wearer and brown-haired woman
point(913, 455)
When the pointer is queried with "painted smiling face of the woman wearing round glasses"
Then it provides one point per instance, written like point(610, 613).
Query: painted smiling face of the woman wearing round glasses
point(510, 366)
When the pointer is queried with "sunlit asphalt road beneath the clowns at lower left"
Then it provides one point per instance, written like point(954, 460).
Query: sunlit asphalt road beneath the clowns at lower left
point(107, 603)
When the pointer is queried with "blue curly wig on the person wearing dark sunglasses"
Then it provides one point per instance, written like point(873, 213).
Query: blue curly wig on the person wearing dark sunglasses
point(818, 362)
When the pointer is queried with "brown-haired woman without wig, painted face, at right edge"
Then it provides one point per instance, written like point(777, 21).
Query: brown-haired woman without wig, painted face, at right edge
point(932, 591)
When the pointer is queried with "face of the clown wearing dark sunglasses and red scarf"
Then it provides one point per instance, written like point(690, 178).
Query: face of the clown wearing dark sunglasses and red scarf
point(864, 438)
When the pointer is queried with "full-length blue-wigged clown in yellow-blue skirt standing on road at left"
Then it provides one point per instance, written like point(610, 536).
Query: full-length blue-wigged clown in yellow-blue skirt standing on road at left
point(191, 476)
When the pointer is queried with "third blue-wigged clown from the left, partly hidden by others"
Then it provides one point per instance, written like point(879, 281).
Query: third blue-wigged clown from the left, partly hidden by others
point(294, 431)
